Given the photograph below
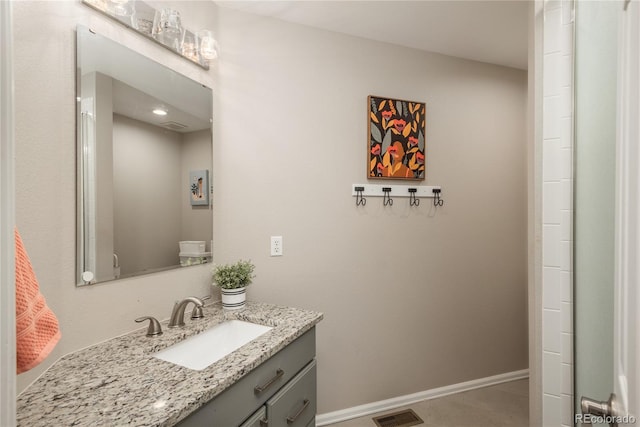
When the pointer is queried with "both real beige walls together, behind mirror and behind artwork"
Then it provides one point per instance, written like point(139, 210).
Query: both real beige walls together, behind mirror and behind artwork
point(413, 298)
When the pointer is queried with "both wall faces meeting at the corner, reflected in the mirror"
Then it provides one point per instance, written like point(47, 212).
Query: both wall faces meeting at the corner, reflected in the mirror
point(151, 182)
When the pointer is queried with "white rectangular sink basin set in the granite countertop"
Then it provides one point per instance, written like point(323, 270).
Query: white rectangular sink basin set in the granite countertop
point(201, 350)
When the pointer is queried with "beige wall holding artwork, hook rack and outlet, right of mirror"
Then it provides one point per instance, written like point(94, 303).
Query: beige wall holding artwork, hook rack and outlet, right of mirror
point(413, 298)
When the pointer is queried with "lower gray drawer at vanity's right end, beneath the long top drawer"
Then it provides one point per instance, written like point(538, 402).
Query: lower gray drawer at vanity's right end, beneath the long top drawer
point(295, 404)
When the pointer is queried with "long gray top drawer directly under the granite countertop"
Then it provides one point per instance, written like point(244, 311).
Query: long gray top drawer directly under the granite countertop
point(250, 392)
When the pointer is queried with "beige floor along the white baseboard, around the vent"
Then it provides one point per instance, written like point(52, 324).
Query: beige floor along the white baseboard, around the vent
point(502, 405)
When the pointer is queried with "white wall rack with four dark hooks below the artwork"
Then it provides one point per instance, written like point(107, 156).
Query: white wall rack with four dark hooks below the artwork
point(413, 192)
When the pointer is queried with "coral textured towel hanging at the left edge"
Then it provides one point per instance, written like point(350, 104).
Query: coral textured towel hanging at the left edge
point(37, 330)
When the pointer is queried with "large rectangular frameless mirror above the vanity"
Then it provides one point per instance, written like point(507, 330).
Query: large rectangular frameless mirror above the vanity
point(144, 164)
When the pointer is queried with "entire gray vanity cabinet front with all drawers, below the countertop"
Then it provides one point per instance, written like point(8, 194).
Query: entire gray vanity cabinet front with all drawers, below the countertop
point(281, 392)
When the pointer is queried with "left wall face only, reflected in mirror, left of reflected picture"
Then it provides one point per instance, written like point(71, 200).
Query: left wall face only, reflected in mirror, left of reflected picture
point(148, 195)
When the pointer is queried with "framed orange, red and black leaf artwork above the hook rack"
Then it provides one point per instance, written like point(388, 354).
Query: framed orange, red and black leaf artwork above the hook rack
point(396, 148)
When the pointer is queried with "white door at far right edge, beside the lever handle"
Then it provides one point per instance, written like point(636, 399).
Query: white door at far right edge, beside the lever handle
point(627, 246)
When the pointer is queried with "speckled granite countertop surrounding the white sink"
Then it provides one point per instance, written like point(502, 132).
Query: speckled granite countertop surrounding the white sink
point(119, 382)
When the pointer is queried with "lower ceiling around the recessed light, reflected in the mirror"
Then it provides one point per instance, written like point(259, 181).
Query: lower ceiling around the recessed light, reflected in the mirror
point(133, 103)
